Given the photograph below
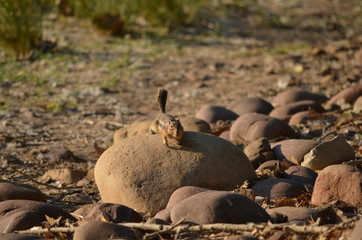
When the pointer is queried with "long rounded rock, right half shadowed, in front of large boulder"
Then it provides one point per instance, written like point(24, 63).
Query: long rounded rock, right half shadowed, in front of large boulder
point(218, 207)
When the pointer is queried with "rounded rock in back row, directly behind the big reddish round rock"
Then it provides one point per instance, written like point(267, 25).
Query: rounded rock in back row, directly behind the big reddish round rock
point(249, 105)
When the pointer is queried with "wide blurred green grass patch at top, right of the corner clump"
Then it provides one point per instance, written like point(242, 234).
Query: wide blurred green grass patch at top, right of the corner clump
point(159, 13)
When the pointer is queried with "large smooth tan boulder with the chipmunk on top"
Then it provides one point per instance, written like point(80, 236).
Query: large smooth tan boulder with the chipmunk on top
point(142, 173)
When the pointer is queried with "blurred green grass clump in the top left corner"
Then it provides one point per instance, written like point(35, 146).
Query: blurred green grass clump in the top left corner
point(21, 25)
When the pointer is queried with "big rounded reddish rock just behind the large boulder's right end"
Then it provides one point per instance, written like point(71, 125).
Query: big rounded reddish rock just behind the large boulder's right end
point(251, 126)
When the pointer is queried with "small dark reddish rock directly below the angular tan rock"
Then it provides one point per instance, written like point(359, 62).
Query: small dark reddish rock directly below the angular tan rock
point(302, 175)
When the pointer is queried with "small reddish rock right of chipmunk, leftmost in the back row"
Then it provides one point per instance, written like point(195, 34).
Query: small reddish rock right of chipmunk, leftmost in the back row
point(212, 114)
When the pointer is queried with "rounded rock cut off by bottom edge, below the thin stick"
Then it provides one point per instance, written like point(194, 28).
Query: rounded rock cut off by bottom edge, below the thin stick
point(96, 230)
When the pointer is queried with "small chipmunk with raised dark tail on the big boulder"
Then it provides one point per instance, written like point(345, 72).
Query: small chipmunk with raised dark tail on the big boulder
point(166, 124)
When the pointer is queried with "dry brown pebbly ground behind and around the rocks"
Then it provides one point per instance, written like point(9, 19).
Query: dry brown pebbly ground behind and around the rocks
point(54, 109)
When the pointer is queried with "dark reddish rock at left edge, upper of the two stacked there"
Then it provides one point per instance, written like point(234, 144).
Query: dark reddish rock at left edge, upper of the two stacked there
point(11, 190)
